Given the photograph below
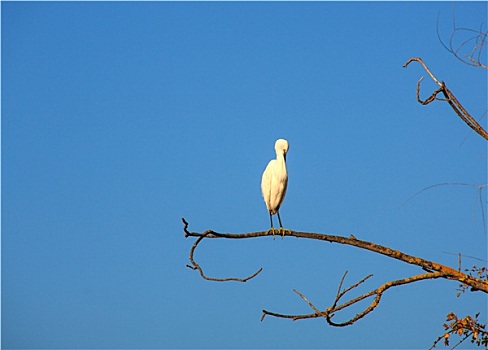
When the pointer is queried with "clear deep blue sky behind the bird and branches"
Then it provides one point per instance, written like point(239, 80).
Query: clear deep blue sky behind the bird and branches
point(120, 118)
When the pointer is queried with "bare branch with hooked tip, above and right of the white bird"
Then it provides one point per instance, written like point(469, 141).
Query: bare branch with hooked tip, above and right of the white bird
point(449, 97)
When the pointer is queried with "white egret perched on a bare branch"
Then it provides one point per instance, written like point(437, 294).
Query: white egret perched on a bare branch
point(274, 182)
